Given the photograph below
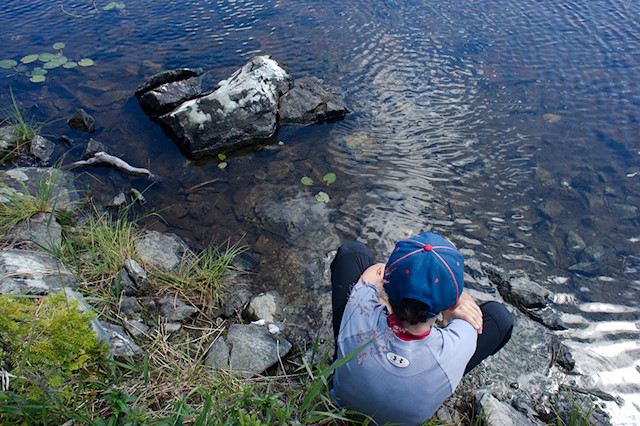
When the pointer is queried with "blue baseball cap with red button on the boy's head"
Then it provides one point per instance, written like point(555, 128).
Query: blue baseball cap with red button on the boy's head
point(428, 268)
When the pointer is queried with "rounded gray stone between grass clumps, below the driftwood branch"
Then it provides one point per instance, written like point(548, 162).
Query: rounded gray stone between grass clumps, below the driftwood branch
point(162, 251)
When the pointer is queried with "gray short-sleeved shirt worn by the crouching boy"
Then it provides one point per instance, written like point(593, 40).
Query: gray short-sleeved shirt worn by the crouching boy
point(391, 379)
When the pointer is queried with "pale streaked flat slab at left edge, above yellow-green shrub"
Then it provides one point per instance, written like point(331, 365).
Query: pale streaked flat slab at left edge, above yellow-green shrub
point(26, 272)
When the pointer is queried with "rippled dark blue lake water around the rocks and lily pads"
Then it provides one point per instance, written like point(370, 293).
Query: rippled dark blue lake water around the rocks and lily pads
point(509, 126)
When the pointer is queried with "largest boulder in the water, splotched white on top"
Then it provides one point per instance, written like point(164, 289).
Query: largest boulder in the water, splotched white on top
point(243, 108)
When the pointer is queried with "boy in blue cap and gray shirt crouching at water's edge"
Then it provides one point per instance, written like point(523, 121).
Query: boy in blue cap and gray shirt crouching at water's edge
point(409, 367)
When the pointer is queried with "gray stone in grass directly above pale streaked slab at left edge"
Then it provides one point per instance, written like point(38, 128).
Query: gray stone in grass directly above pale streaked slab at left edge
point(41, 231)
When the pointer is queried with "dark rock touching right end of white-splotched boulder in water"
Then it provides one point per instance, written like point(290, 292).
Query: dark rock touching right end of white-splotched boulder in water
point(311, 101)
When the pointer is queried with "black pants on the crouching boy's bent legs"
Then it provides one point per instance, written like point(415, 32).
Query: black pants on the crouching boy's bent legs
point(353, 258)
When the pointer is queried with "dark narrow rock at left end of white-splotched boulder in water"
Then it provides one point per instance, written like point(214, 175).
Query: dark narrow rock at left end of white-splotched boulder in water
point(166, 97)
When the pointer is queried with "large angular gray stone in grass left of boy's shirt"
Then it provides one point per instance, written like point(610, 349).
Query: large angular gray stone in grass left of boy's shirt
point(254, 349)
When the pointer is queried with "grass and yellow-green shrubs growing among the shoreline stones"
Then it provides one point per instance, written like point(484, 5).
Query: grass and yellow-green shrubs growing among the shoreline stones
point(54, 370)
